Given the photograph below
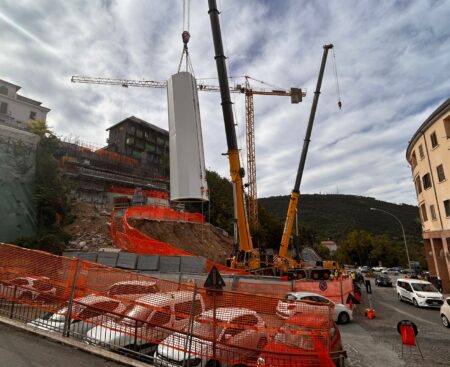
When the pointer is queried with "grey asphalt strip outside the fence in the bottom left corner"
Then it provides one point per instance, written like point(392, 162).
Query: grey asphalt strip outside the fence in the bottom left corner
point(21, 349)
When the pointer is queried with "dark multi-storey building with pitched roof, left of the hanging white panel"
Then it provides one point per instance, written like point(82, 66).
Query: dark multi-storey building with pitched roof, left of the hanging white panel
point(143, 141)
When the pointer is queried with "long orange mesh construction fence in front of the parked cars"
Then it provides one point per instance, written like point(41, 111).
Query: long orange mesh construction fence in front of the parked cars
point(171, 323)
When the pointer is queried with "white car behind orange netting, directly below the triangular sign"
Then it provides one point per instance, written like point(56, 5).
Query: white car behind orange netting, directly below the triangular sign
point(239, 339)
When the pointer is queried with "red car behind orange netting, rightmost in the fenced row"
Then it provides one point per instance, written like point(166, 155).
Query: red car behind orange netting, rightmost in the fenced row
point(298, 341)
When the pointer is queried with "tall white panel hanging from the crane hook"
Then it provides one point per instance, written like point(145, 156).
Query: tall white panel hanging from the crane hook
point(187, 160)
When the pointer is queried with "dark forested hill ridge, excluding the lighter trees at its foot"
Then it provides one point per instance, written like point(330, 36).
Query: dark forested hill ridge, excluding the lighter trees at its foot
point(333, 216)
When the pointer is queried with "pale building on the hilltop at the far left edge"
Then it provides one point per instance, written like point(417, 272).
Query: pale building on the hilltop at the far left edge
point(16, 110)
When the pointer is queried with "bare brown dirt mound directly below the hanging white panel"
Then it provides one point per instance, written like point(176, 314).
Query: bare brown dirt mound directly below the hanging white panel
point(199, 239)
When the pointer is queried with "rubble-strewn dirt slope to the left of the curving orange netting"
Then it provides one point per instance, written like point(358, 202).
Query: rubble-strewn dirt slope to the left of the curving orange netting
point(89, 230)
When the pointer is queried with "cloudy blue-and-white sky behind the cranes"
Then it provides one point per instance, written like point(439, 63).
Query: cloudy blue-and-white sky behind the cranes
point(392, 57)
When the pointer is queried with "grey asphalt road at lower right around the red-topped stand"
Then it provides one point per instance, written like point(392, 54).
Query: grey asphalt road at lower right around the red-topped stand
point(377, 343)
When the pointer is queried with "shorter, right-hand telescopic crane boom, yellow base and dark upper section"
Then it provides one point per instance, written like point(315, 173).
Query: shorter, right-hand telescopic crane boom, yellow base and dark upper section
point(288, 224)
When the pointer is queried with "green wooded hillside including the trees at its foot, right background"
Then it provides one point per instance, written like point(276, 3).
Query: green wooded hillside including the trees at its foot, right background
point(363, 235)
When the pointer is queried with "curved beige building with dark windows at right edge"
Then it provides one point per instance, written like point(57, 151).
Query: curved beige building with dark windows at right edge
point(428, 154)
